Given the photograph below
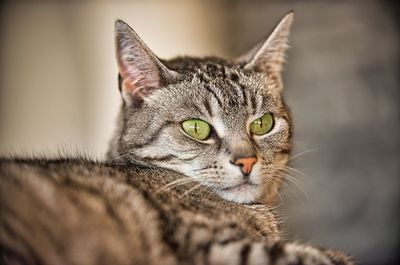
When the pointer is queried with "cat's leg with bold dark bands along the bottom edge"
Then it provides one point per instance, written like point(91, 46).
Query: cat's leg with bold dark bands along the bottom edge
point(202, 243)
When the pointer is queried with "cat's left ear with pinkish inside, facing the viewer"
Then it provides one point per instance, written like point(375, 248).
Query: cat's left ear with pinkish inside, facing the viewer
point(140, 70)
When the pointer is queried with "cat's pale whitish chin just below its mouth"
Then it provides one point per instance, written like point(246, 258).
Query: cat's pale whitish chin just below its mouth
point(245, 193)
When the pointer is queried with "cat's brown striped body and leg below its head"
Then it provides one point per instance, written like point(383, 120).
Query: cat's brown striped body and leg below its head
point(82, 212)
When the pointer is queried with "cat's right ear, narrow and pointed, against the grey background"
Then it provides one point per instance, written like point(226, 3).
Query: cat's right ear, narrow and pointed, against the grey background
point(269, 55)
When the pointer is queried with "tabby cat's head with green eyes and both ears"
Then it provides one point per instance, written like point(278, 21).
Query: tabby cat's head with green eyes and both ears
point(220, 122)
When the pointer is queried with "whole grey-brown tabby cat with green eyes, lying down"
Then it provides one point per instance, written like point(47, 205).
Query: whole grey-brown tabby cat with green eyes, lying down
point(200, 143)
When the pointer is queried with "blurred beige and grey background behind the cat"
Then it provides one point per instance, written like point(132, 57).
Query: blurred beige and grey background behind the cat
point(58, 91)
